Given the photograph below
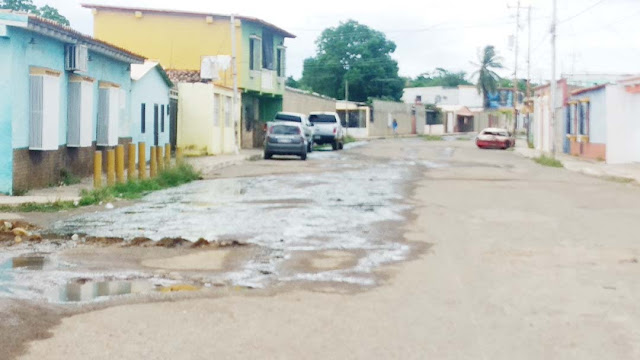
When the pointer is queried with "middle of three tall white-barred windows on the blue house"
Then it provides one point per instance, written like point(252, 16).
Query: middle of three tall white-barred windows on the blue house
point(80, 112)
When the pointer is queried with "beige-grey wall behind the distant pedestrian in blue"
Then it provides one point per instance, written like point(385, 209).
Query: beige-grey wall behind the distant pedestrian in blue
point(383, 114)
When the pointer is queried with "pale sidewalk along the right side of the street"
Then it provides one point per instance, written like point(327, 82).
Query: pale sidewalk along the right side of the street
point(629, 172)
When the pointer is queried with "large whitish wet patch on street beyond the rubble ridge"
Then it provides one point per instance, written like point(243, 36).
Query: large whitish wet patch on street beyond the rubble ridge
point(283, 216)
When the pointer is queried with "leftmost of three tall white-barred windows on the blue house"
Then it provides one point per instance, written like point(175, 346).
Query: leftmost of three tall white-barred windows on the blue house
point(44, 109)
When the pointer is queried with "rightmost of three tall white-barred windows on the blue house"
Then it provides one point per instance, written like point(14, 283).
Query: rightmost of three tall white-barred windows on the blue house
point(108, 114)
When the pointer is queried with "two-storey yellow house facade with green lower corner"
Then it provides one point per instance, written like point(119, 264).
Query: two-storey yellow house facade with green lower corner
point(183, 40)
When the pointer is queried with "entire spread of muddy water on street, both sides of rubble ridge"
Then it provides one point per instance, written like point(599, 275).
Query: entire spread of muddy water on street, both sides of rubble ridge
point(333, 227)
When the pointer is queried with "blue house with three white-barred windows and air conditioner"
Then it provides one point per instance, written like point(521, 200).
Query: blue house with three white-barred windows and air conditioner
point(63, 95)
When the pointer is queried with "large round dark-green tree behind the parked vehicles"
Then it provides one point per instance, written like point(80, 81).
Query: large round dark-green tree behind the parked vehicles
point(358, 54)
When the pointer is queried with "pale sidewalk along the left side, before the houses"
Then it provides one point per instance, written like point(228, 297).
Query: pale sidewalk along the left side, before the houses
point(205, 164)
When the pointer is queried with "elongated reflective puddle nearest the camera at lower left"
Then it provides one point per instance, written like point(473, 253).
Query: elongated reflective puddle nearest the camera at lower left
point(89, 291)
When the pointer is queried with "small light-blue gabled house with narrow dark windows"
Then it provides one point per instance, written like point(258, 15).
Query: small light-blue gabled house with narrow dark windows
point(150, 107)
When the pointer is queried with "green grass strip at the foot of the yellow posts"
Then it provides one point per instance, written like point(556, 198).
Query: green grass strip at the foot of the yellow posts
point(136, 189)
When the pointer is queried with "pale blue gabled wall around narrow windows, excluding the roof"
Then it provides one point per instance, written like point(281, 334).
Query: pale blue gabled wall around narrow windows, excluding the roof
point(150, 90)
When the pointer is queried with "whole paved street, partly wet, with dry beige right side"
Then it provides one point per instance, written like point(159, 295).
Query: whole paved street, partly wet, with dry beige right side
point(392, 249)
